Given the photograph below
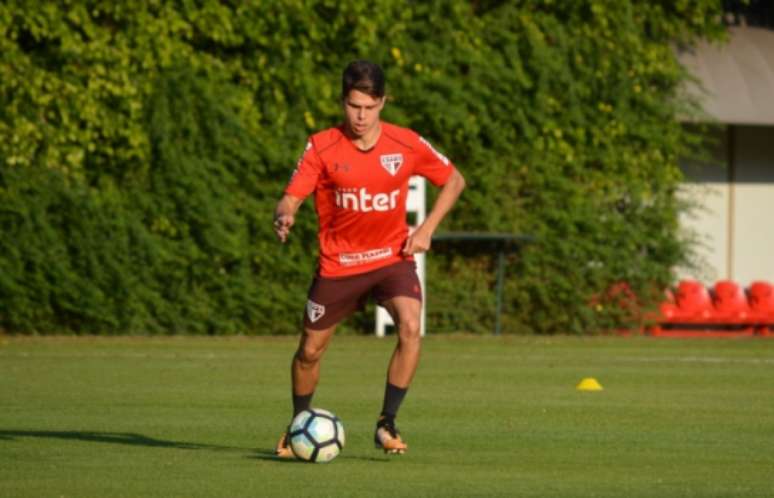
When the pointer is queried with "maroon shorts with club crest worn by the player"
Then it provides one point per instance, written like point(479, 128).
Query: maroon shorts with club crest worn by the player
point(331, 300)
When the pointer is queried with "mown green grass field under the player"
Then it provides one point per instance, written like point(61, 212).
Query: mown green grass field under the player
point(486, 416)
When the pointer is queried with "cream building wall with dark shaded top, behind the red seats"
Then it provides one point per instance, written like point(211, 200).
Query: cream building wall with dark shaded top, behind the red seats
point(734, 224)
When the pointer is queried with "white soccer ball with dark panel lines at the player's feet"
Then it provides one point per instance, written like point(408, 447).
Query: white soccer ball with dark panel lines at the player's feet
point(316, 435)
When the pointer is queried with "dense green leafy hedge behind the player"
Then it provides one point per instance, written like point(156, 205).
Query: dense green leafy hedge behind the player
point(142, 150)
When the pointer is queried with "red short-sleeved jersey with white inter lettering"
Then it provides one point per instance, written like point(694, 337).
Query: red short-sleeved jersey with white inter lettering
point(360, 196)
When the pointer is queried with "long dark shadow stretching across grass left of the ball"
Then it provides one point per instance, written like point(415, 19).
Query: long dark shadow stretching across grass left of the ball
point(114, 438)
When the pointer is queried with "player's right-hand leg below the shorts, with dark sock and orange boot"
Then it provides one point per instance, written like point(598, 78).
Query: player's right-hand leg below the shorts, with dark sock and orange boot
point(406, 313)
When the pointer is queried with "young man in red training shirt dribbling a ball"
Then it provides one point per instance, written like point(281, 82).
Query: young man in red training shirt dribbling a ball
point(359, 173)
